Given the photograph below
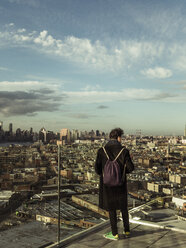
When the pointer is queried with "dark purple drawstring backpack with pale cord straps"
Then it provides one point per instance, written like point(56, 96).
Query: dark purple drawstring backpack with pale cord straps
point(112, 173)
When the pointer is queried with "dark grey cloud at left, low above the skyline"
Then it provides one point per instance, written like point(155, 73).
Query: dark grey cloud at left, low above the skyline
point(29, 102)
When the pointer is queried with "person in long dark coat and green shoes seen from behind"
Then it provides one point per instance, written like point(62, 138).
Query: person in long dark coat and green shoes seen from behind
point(113, 161)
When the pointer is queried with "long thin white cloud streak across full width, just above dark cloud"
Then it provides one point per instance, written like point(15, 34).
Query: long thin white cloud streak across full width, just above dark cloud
point(96, 95)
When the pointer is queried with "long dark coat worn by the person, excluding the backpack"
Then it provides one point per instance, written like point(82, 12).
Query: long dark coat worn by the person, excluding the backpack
point(113, 198)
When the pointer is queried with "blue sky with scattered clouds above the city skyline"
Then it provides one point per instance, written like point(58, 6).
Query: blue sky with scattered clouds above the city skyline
point(84, 64)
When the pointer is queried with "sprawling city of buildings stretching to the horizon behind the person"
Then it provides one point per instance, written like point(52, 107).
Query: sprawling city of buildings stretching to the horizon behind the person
point(29, 175)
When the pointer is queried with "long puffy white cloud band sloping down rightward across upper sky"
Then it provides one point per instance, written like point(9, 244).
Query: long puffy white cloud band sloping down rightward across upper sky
point(85, 52)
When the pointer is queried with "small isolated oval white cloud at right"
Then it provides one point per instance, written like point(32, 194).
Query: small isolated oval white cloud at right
point(157, 72)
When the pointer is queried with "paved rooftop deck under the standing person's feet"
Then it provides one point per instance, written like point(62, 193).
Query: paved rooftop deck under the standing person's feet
point(141, 237)
